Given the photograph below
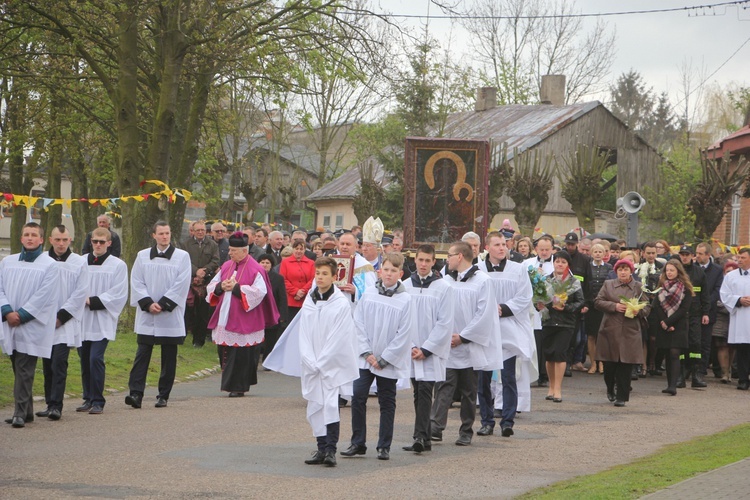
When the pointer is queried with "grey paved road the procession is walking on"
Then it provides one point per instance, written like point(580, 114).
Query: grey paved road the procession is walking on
point(207, 445)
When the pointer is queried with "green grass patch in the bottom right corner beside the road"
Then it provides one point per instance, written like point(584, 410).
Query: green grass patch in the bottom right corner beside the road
point(672, 464)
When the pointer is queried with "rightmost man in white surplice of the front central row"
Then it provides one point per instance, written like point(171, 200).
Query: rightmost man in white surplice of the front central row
point(512, 290)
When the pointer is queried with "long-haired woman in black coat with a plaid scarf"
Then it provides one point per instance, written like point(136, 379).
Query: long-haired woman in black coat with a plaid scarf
point(669, 318)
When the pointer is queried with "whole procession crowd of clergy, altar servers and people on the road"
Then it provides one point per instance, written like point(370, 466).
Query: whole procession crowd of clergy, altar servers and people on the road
point(479, 324)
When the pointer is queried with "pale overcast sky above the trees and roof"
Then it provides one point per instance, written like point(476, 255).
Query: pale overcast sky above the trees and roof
point(654, 44)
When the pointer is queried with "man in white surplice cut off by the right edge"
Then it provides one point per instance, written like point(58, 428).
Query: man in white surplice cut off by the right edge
point(735, 295)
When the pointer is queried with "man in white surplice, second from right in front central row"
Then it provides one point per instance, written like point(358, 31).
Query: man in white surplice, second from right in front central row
point(476, 343)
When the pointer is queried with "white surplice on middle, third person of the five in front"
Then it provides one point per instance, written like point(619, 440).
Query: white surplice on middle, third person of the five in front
point(434, 325)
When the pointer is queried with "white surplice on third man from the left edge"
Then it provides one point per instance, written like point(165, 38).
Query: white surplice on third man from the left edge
point(109, 282)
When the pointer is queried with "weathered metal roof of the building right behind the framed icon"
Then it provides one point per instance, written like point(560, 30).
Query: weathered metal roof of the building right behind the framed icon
point(516, 125)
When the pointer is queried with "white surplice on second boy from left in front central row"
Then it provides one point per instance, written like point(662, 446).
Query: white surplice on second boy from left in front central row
point(385, 328)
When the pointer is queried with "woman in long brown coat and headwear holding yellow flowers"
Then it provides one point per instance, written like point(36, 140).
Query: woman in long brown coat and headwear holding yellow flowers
point(618, 344)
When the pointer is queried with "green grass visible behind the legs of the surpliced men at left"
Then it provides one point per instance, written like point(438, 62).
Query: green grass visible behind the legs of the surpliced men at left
point(119, 360)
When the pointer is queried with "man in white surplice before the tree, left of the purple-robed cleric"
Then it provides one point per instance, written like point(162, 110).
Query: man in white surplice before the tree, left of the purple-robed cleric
point(159, 284)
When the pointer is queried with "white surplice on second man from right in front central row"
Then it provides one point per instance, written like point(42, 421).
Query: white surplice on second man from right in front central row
point(475, 319)
